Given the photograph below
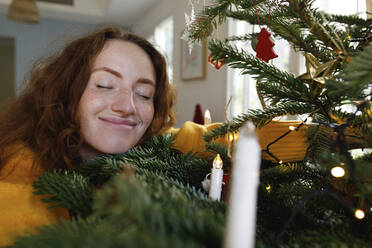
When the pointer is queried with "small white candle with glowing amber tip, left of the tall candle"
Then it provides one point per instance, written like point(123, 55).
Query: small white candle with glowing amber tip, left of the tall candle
point(216, 179)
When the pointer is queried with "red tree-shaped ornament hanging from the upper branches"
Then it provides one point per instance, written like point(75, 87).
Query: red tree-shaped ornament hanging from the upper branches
point(264, 46)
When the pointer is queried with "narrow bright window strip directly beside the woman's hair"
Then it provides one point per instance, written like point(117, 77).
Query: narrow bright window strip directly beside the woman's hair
point(162, 38)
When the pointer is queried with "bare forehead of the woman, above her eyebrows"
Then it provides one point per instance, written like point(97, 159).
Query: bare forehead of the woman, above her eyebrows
point(125, 57)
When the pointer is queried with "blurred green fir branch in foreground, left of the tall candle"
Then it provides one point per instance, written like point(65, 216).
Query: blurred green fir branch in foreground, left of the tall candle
point(134, 216)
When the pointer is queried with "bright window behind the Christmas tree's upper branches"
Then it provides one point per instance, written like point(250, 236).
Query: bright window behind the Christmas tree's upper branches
point(242, 88)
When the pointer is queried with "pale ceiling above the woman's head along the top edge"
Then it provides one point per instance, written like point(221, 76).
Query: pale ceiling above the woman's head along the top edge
point(123, 12)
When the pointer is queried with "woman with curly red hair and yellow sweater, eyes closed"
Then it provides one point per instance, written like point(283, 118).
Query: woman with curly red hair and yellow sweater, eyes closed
point(102, 94)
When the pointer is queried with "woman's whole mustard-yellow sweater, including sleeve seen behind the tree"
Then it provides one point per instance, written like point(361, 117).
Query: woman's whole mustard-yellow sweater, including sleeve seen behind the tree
point(21, 211)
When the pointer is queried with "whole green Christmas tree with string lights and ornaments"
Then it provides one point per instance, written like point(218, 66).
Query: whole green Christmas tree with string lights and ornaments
point(152, 196)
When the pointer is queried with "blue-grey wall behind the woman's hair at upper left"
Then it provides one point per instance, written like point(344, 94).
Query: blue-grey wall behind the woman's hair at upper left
point(33, 41)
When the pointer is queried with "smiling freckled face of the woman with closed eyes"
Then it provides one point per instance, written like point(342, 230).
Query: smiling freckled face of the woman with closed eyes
point(117, 105)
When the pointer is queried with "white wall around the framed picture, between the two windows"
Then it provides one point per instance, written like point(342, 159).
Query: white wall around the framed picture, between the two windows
point(211, 92)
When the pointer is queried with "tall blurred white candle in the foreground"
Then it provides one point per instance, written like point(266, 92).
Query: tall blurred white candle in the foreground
point(241, 216)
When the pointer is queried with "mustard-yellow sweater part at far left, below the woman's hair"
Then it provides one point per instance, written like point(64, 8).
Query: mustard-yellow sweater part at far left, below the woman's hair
point(20, 210)
